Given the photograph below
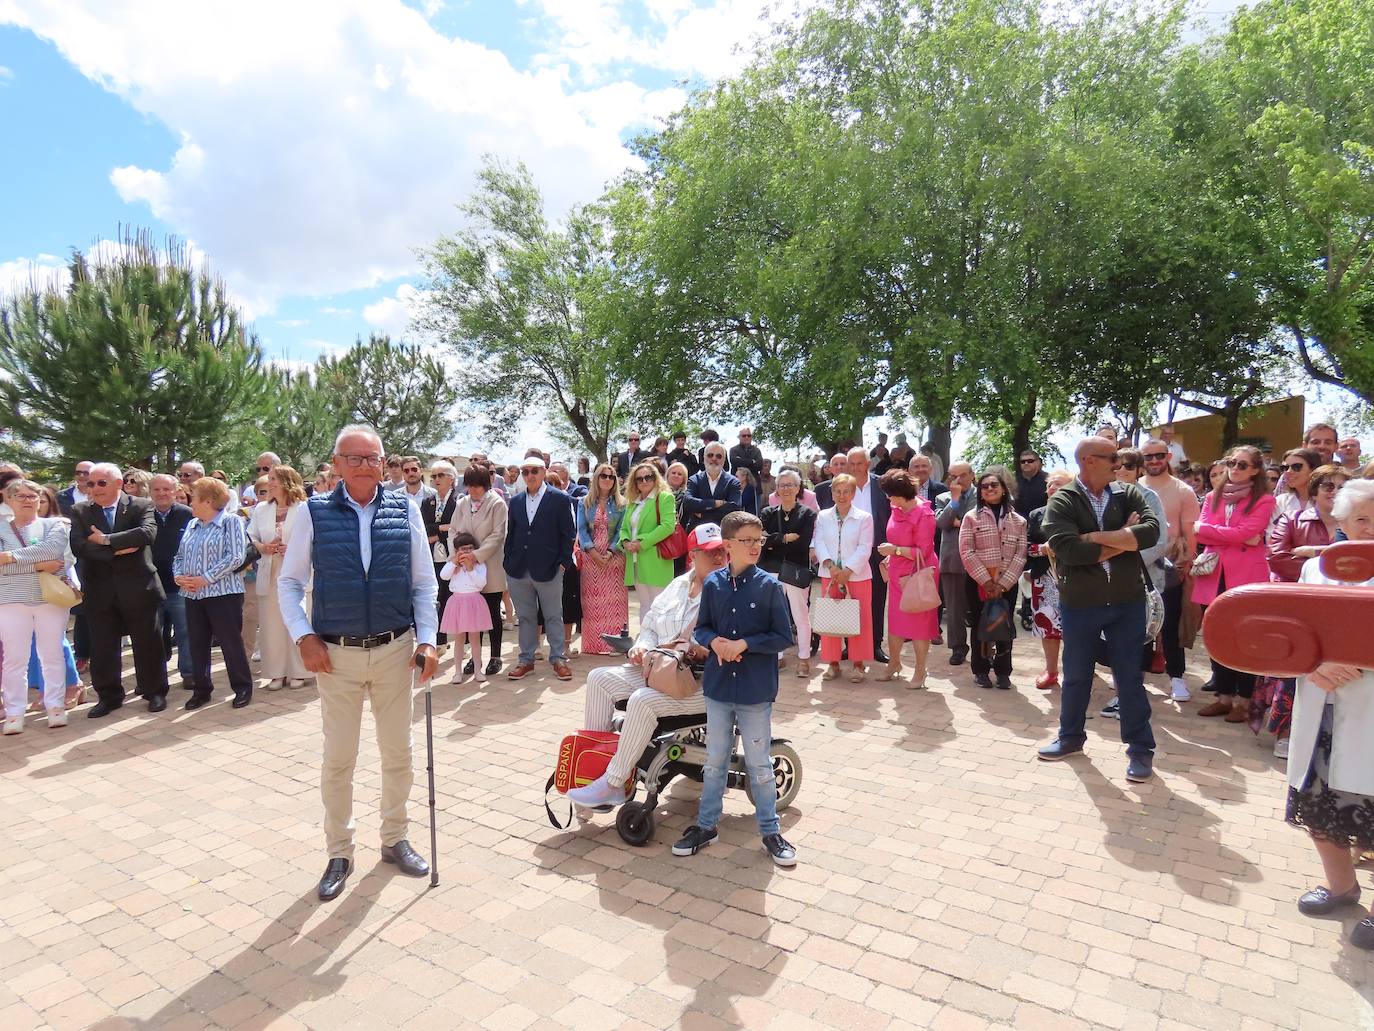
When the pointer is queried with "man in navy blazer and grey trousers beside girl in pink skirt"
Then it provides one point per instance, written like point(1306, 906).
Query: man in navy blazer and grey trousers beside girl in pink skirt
point(539, 548)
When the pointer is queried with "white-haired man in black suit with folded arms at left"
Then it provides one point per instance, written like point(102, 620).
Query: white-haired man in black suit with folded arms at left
point(112, 540)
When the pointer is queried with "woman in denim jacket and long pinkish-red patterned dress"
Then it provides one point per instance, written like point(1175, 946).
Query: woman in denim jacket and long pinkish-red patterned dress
point(605, 596)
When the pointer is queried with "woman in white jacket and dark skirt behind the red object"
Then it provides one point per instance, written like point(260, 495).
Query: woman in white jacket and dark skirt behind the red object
point(1331, 761)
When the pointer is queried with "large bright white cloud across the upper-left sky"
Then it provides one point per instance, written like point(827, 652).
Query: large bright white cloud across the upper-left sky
point(330, 138)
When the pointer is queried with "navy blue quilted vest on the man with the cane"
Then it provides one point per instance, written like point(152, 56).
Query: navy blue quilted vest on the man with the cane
point(347, 600)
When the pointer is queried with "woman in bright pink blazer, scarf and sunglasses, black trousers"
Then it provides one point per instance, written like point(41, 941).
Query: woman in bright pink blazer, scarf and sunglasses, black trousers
point(1235, 523)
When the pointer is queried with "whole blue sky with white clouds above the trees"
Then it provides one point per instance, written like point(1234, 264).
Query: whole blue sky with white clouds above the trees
point(307, 148)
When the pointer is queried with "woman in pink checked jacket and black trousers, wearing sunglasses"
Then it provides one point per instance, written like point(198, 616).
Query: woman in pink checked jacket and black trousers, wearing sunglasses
point(993, 548)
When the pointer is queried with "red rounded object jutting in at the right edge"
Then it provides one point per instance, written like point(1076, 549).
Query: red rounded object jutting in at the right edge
point(1291, 629)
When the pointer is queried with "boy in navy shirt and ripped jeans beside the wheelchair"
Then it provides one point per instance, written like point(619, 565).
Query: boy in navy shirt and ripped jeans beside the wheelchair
point(745, 625)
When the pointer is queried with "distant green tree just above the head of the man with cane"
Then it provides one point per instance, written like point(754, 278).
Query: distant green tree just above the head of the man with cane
point(396, 388)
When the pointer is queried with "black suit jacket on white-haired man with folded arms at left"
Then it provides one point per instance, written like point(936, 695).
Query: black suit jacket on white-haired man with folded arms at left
point(111, 581)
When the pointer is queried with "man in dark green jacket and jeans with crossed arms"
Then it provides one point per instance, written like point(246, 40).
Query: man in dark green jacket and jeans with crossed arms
point(1096, 529)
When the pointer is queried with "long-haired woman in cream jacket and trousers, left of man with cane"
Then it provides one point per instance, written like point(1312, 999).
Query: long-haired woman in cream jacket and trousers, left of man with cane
point(270, 530)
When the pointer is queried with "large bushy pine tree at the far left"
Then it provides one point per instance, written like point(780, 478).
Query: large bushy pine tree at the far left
point(141, 361)
